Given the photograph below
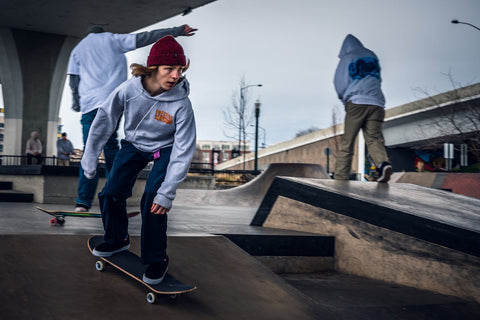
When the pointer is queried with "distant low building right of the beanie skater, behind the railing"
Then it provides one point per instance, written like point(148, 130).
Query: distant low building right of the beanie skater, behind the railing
point(219, 151)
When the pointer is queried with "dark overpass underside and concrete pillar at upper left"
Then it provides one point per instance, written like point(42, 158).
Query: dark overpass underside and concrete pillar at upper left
point(36, 38)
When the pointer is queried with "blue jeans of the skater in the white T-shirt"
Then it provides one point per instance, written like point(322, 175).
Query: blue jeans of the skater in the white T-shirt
point(88, 187)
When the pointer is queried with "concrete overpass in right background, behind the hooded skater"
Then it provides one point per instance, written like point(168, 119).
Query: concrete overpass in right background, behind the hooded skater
point(452, 116)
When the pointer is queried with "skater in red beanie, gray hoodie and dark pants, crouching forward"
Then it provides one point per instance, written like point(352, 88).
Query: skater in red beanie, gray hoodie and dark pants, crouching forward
point(159, 127)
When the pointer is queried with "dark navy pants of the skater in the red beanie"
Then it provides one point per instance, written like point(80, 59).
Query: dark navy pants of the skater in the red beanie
point(128, 162)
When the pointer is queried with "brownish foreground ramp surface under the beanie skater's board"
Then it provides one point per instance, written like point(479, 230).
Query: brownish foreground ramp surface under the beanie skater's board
point(54, 277)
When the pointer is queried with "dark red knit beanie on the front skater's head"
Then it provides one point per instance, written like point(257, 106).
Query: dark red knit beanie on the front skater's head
point(166, 52)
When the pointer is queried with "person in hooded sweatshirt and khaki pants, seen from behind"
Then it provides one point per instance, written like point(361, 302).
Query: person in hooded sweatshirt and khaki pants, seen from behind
point(358, 84)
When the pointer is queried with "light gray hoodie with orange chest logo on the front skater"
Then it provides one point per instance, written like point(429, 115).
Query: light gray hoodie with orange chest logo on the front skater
point(151, 123)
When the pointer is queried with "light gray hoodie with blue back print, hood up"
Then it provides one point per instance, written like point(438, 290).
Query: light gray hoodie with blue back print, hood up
point(357, 78)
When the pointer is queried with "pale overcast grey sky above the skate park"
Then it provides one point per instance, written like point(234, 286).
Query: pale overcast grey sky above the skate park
point(291, 48)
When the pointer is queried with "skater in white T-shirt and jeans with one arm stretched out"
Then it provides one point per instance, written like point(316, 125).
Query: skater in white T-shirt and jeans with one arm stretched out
point(97, 65)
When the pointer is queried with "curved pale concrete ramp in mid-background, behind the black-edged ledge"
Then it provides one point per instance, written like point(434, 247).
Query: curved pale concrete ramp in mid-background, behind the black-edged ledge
point(251, 193)
